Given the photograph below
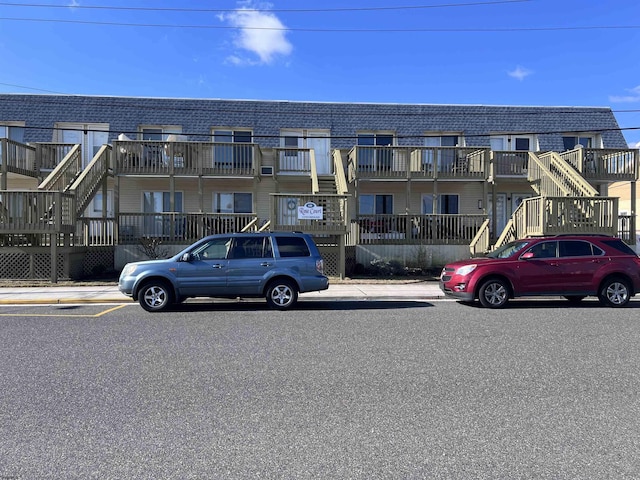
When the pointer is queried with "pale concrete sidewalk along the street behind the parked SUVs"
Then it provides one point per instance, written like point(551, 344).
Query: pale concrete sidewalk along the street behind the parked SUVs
point(52, 294)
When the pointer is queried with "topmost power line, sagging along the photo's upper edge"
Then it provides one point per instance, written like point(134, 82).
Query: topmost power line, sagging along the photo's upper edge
point(288, 10)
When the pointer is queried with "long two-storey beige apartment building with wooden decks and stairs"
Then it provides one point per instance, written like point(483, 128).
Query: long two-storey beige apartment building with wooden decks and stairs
point(87, 181)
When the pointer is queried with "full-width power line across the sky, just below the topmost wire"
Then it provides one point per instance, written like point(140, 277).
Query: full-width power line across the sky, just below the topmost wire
point(331, 30)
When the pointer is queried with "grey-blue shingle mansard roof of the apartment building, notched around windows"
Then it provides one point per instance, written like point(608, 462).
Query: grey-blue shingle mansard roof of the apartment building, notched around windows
point(344, 120)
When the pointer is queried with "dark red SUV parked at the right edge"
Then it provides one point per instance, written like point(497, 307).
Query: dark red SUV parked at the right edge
point(572, 266)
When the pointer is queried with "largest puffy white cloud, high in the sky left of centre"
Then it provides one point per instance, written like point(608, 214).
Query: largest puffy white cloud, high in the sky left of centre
point(261, 33)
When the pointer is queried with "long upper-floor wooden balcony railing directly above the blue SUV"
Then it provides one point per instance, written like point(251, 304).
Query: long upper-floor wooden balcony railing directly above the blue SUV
point(186, 158)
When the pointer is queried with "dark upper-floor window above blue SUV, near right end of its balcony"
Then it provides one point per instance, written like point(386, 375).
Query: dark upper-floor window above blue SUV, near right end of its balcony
point(232, 149)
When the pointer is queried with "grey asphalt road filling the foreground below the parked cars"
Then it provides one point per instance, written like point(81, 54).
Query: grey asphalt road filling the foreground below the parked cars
point(334, 390)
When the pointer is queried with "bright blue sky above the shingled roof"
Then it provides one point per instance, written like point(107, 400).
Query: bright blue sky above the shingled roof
point(528, 52)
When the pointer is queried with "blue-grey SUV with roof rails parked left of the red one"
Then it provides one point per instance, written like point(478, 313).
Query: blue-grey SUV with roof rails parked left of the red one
point(273, 265)
